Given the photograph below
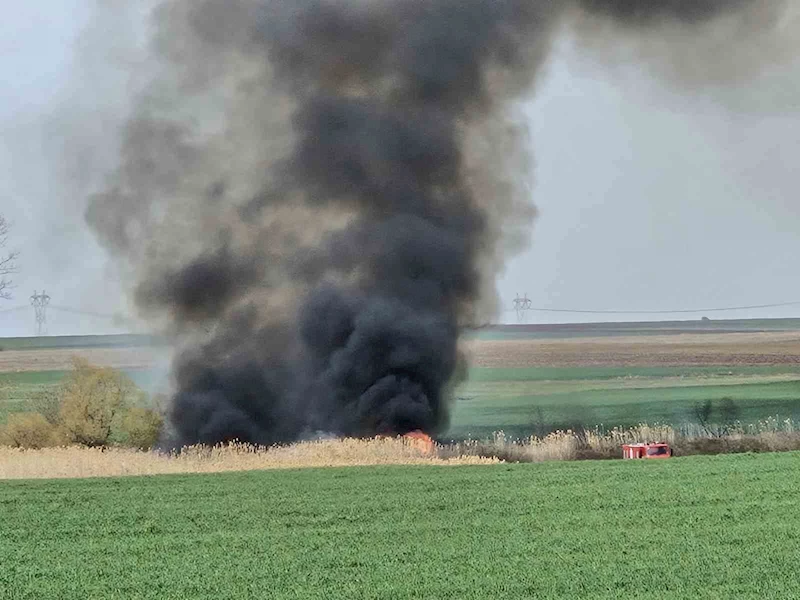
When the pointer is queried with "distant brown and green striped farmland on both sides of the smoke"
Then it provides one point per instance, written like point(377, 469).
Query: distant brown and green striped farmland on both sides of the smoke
point(532, 381)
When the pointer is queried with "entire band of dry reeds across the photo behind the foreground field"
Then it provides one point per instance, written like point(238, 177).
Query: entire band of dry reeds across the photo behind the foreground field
point(77, 462)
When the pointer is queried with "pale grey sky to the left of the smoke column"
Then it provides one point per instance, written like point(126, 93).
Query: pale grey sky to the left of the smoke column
point(37, 95)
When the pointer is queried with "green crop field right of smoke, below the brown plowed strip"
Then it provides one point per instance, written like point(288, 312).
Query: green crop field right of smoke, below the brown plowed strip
point(538, 400)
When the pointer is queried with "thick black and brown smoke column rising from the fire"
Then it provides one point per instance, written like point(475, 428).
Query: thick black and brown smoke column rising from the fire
point(316, 196)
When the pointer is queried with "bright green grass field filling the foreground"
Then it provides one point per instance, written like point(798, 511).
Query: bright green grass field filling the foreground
point(699, 527)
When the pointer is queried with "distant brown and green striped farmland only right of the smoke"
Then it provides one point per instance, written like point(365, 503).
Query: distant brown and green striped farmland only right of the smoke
point(663, 373)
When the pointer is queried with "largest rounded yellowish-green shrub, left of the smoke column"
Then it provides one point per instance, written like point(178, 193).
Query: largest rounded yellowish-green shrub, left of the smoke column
point(92, 399)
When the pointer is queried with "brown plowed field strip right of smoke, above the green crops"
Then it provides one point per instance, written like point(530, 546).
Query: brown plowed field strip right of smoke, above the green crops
point(655, 350)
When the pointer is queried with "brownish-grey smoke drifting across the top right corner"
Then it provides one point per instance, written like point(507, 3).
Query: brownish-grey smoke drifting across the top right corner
point(697, 44)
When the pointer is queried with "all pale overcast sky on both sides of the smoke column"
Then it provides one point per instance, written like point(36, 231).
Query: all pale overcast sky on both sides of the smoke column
point(651, 197)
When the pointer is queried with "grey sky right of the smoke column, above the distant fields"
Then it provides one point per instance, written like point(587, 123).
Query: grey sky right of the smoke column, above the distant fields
point(658, 199)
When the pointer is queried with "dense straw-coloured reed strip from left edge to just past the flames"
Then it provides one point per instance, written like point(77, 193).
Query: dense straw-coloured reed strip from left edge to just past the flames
point(77, 461)
